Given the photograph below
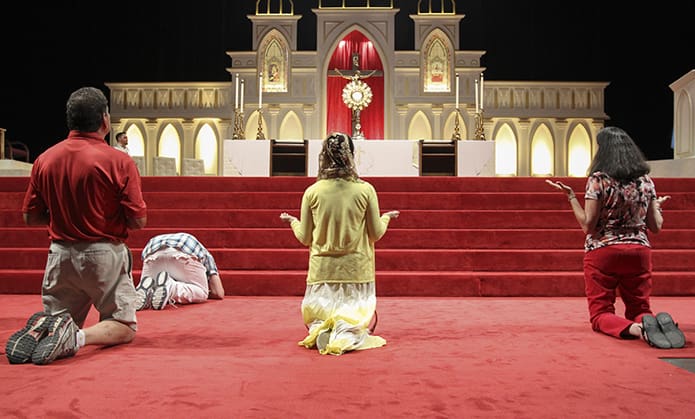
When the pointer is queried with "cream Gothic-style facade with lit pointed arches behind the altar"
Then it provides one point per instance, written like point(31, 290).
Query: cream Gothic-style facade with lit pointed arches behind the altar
point(539, 128)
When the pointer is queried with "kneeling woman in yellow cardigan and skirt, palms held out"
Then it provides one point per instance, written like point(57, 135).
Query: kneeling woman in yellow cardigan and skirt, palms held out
point(340, 222)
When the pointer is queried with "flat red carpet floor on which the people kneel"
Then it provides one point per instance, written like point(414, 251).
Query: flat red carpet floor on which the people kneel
point(445, 358)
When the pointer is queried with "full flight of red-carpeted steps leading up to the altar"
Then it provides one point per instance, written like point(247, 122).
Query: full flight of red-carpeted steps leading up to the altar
point(479, 237)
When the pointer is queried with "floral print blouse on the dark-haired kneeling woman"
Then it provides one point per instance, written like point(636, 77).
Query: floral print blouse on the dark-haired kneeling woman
point(623, 210)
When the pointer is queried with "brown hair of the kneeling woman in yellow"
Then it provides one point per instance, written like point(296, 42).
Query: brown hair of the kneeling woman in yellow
point(337, 158)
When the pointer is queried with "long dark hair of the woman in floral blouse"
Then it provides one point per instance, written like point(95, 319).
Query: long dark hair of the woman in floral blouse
point(618, 156)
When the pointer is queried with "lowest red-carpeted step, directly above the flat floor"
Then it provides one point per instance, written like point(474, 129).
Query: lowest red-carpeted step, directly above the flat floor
point(399, 283)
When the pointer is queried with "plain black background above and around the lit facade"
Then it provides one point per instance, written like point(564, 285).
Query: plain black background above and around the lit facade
point(49, 50)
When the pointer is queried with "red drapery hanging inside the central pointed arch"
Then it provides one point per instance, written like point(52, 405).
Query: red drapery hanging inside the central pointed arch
point(339, 116)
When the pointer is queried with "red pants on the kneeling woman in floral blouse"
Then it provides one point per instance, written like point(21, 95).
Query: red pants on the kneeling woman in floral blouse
point(624, 269)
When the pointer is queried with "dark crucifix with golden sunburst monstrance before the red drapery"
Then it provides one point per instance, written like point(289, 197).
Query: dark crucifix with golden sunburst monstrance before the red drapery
point(356, 94)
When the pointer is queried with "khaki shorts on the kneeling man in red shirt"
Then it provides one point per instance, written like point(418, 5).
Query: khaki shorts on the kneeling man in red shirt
point(81, 274)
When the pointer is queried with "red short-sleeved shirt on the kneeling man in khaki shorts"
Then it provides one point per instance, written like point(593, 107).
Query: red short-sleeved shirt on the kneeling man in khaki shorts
point(88, 188)
